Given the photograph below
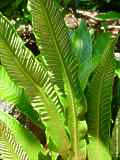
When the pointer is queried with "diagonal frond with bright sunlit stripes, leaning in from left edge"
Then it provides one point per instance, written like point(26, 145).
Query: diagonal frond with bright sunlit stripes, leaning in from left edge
point(23, 67)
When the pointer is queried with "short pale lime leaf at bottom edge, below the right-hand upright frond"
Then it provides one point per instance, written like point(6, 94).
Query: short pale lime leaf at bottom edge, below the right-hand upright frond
point(97, 150)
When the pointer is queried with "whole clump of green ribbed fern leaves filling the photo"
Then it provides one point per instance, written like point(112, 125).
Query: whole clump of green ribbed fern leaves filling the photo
point(66, 90)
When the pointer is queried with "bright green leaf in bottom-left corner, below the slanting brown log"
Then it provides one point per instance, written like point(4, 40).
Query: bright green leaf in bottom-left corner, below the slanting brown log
point(21, 135)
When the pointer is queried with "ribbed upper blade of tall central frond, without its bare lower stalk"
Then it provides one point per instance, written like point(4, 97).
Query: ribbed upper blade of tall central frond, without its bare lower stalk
point(52, 35)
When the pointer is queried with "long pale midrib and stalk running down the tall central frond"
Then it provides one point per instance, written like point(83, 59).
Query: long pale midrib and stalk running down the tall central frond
point(68, 81)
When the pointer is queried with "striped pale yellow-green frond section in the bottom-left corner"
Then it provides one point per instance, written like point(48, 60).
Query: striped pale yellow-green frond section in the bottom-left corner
point(9, 149)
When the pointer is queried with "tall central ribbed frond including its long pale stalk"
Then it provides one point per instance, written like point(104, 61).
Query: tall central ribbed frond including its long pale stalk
point(52, 36)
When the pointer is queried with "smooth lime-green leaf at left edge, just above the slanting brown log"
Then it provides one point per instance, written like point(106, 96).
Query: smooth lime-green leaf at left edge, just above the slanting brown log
point(13, 94)
